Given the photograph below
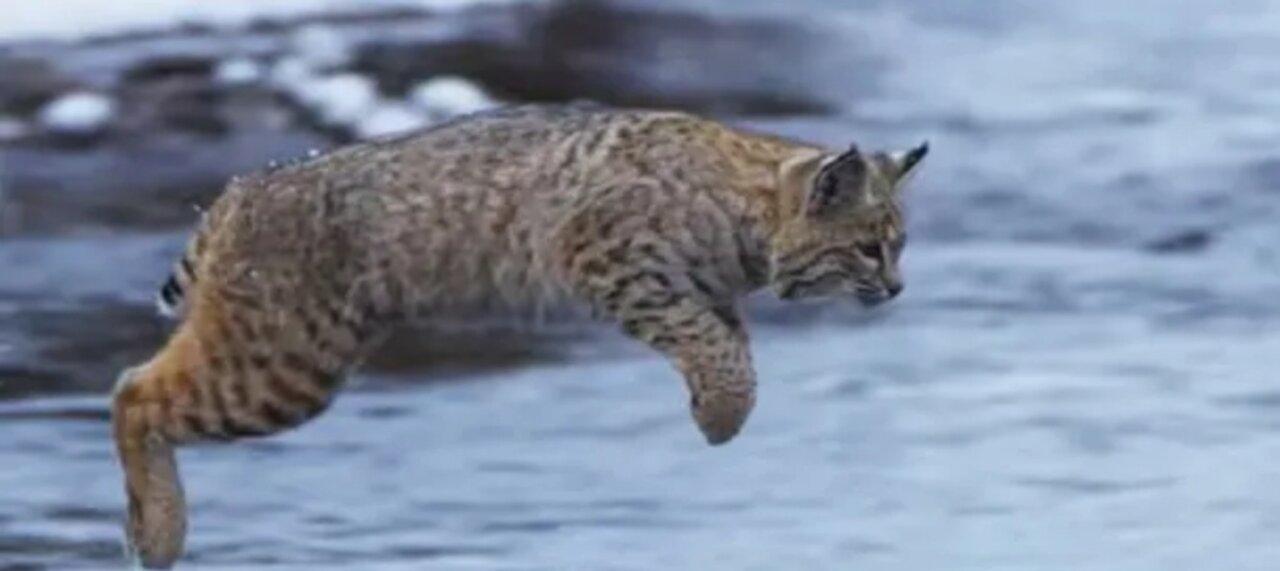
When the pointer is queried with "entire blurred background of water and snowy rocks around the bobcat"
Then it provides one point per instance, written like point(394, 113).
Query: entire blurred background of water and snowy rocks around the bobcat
point(1078, 377)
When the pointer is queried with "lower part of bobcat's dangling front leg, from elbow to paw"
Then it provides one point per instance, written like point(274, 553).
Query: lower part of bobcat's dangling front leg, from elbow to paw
point(711, 349)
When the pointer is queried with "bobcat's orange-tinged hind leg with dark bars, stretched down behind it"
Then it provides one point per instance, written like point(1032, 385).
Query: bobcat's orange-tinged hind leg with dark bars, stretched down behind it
point(231, 371)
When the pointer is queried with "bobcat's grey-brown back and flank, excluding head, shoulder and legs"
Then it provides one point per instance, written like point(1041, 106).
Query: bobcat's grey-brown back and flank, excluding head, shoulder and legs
point(461, 217)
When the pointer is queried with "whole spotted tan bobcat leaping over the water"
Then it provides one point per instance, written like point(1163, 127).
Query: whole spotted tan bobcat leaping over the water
point(657, 221)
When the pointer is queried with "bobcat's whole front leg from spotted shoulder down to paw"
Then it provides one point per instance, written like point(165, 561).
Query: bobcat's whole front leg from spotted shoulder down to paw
point(639, 254)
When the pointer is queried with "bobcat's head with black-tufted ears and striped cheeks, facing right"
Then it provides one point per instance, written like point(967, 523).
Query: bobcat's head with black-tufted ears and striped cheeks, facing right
point(849, 236)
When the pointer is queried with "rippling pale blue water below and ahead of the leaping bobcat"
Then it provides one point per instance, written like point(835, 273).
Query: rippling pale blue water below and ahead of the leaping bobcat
point(1050, 394)
